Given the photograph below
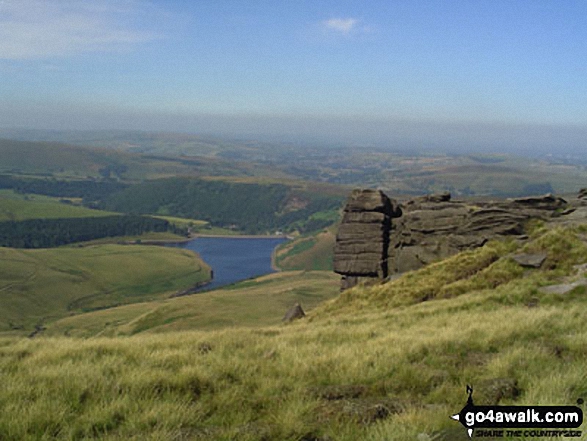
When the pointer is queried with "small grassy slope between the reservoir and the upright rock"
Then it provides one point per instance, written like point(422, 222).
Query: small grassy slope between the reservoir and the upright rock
point(308, 252)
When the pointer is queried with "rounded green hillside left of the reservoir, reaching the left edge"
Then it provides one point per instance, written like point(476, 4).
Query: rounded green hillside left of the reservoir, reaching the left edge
point(38, 286)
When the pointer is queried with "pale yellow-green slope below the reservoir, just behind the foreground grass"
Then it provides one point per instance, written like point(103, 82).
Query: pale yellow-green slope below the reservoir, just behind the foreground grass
point(253, 303)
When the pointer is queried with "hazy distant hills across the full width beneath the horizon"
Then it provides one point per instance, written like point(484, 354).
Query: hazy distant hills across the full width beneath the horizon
point(397, 172)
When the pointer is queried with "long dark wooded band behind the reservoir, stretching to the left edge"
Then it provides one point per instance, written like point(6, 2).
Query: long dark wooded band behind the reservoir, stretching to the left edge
point(248, 207)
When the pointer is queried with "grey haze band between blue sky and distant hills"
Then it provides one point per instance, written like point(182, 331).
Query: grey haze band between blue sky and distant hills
point(393, 135)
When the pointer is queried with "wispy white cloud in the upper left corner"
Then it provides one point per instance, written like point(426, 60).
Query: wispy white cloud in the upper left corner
point(38, 29)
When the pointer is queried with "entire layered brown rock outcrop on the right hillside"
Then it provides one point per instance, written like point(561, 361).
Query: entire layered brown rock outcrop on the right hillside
point(424, 229)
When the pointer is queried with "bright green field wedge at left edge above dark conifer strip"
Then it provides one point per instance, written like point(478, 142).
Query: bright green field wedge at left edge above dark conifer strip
point(17, 207)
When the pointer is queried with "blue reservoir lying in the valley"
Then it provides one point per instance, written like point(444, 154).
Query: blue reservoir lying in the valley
point(234, 259)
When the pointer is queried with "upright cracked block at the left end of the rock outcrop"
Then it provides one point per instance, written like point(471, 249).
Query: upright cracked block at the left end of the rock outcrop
point(362, 241)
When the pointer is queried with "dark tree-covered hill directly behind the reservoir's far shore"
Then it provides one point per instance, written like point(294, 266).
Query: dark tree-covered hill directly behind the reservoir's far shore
point(249, 207)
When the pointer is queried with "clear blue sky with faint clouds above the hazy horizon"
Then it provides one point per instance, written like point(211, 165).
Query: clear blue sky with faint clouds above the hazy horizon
point(427, 72)
